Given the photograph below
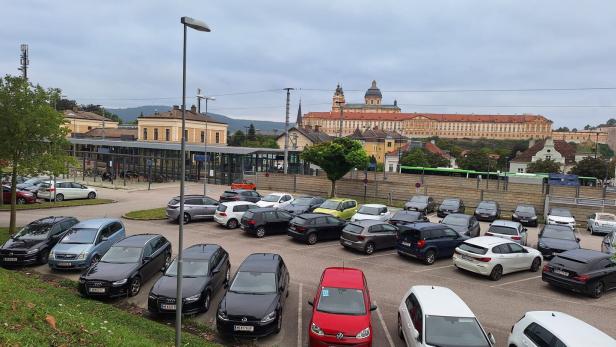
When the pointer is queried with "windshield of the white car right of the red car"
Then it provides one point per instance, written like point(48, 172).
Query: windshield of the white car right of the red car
point(454, 332)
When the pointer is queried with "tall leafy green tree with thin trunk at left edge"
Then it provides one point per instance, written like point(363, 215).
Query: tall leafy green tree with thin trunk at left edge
point(32, 134)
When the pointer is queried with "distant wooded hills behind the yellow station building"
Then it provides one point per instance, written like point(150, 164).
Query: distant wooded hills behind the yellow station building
point(131, 113)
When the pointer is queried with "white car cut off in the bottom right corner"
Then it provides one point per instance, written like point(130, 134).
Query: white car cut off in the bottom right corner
point(551, 328)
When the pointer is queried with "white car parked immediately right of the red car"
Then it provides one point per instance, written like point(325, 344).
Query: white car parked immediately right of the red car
point(436, 316)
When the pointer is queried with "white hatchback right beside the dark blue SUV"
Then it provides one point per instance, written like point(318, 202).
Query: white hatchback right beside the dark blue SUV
point(494, 256)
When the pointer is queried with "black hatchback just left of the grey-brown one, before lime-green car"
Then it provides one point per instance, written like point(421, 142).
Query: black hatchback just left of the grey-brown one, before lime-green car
point(311, 227)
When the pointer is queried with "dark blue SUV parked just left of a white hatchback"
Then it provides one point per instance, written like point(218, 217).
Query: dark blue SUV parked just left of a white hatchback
point(427, 241)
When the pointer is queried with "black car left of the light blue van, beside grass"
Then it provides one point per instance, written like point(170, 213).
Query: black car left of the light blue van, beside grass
point(31, 245)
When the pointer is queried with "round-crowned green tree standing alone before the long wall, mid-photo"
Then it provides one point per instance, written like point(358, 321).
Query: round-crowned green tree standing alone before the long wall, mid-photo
point(337, 158)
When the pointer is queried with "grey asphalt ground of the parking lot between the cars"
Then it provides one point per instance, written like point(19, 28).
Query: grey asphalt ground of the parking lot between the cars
point(498, 305)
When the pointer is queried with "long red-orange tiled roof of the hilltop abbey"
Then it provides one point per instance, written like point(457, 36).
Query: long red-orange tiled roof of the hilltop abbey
point(433, 116)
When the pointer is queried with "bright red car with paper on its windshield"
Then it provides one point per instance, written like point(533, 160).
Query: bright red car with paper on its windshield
point(341, 309)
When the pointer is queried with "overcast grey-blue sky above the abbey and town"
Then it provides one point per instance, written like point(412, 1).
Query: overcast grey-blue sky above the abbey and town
point(128, 53)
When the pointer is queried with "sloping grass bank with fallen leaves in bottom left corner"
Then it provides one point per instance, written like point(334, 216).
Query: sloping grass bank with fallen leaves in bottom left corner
point(36, 313)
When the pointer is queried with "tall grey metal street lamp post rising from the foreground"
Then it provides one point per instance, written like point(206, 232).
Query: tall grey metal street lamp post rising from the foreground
point(187, 22)
